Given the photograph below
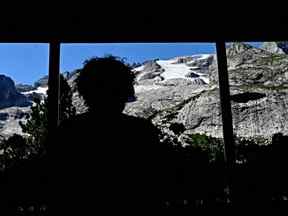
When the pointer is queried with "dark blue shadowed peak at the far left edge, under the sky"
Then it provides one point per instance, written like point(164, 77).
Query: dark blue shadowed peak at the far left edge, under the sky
point(9, 96)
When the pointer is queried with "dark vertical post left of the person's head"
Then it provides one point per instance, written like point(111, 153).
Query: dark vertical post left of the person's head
point(53, 87)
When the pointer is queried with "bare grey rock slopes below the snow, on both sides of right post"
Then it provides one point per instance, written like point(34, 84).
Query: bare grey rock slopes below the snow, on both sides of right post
point(258, 85)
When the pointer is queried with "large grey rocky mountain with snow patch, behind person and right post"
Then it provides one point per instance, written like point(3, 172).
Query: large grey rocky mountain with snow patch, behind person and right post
point(184, 91)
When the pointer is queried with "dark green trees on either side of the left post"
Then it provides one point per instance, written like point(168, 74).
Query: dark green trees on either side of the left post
point(20, 147)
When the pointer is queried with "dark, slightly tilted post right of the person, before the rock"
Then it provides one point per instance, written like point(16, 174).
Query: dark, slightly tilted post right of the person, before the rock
point(226, 112)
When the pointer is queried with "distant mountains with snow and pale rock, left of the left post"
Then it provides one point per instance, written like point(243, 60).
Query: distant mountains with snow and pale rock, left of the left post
point(15, 101)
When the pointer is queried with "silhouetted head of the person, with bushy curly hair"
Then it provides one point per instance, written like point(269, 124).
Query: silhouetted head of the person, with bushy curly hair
point(106, 83)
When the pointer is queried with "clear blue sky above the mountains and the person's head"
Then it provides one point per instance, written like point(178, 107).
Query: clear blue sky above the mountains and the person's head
point(25, 63)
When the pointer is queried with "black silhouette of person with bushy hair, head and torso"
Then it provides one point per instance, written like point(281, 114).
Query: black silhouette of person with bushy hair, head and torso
point(107, 160)
